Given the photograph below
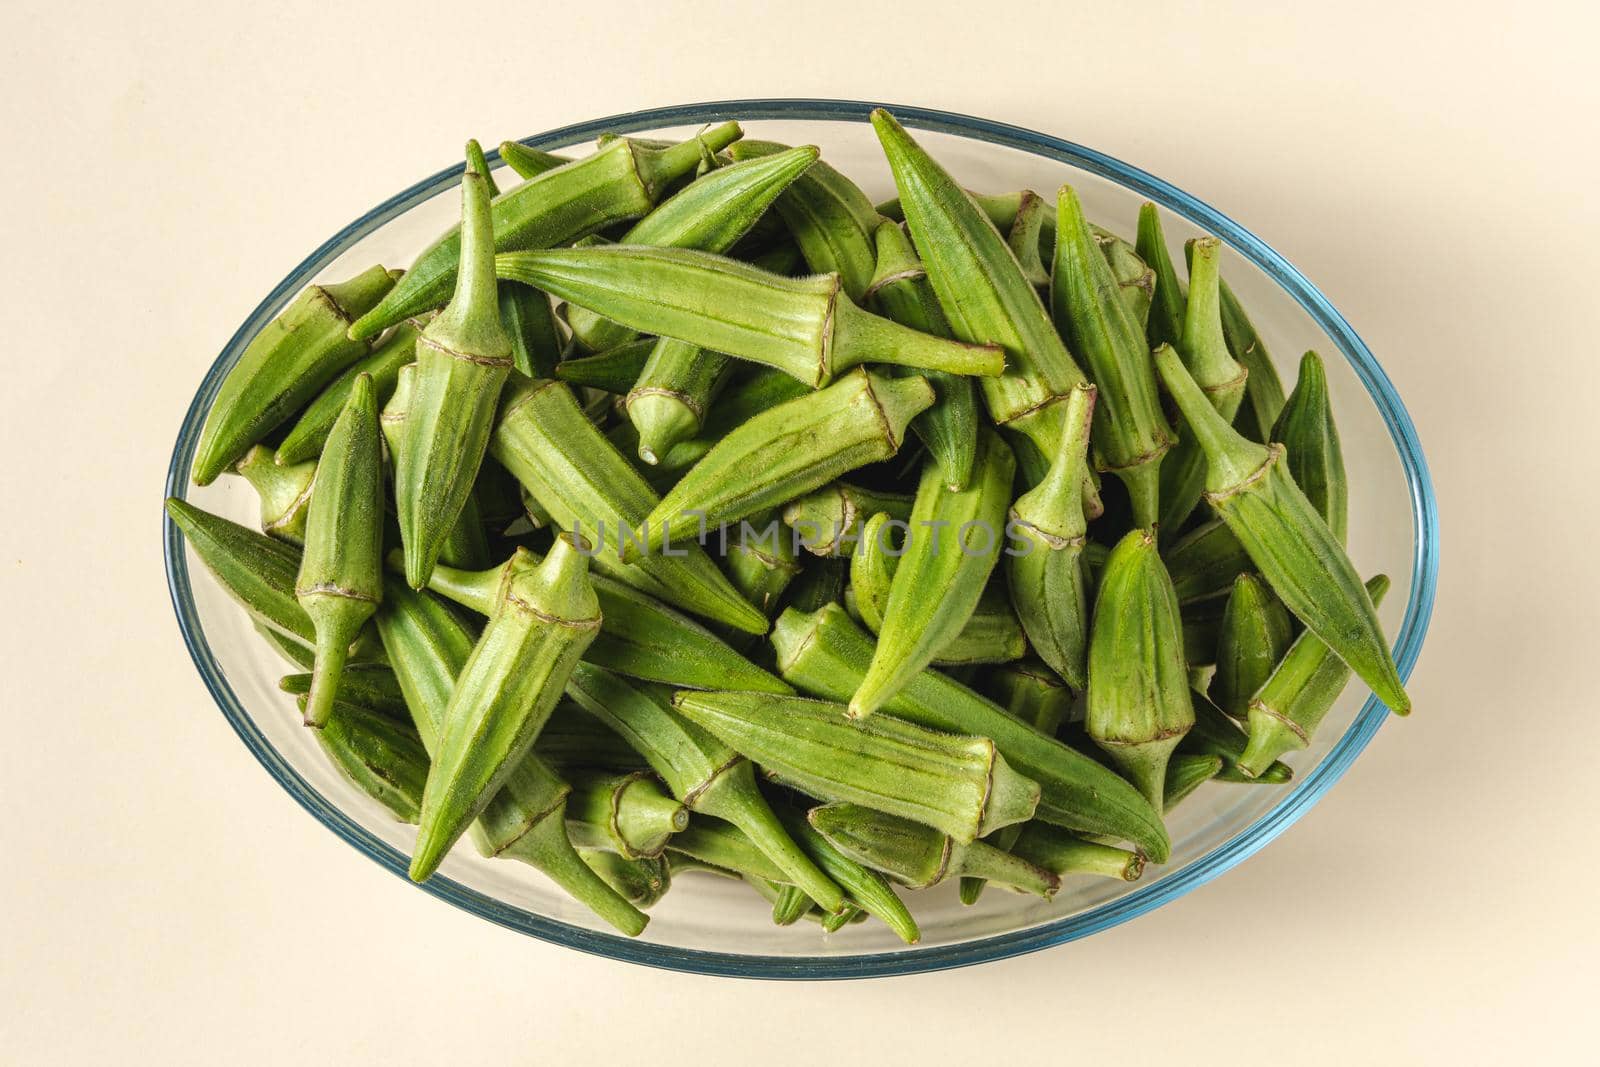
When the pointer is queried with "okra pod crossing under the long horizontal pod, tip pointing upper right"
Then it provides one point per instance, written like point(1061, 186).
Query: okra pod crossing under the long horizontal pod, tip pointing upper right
point(710, 215)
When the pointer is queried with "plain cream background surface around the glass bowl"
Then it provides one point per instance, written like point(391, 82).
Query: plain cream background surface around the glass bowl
point(1433, 170)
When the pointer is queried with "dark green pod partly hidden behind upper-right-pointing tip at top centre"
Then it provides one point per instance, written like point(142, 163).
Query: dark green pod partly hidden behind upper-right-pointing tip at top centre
point(828, 215)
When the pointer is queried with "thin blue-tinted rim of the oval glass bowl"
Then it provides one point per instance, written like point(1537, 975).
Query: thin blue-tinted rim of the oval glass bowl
point(1137, 903)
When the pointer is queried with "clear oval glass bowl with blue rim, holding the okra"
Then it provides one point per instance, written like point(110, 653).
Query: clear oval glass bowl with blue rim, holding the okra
point(719, 927)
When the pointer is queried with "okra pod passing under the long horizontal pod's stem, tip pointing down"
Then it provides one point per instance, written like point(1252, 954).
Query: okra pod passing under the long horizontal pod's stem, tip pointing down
point(900, 290)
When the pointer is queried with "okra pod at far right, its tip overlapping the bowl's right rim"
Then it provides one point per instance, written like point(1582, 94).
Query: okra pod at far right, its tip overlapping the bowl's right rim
point(1252, 490)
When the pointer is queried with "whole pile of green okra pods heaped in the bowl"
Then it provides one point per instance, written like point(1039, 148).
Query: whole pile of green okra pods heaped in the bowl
point(684, 511)
